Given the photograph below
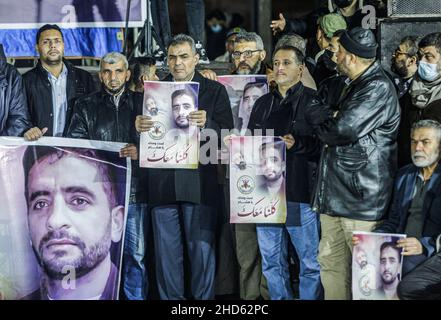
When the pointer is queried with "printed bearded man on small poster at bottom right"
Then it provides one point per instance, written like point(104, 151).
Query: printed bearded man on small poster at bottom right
point(390, 263)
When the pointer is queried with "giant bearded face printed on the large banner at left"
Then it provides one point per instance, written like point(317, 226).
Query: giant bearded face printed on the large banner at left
point(71, 219)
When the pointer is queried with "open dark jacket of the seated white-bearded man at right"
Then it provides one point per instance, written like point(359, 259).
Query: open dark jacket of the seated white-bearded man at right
point(402, 199)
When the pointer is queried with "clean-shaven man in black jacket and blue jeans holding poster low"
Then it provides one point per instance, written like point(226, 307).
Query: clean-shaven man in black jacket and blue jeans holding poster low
point(283, 111)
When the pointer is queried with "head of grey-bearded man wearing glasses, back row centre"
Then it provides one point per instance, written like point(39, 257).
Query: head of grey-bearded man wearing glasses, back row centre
point(248, 54)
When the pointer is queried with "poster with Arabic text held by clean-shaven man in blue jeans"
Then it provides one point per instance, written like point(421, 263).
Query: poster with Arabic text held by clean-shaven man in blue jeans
point(257, 180)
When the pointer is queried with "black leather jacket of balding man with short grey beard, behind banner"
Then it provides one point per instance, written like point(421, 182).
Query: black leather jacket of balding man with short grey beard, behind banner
point(95, 117)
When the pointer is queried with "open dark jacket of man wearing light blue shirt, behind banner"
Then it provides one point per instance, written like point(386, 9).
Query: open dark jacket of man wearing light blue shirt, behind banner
point(39, 94)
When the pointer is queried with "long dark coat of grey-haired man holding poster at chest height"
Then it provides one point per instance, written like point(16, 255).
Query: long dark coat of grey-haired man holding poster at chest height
point(200, 186)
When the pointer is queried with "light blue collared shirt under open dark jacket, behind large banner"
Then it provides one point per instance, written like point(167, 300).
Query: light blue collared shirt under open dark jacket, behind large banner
point(59, 100)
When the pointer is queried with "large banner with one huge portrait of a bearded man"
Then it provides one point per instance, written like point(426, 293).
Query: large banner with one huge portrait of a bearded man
point(64, 208)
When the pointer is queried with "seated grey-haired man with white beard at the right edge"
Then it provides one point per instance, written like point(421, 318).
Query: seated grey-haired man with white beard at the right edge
point(415, 210)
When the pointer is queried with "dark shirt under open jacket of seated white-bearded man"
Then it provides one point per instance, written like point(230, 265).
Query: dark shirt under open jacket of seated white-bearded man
point(415, 218)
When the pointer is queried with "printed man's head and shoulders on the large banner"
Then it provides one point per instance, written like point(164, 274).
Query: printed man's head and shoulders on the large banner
point(73, 220)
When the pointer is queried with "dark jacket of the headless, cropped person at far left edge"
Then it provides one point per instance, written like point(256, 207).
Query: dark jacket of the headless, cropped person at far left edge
point(14, 116)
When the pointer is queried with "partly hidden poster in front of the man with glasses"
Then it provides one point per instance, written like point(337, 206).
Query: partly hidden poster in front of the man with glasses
point(243, 91)
